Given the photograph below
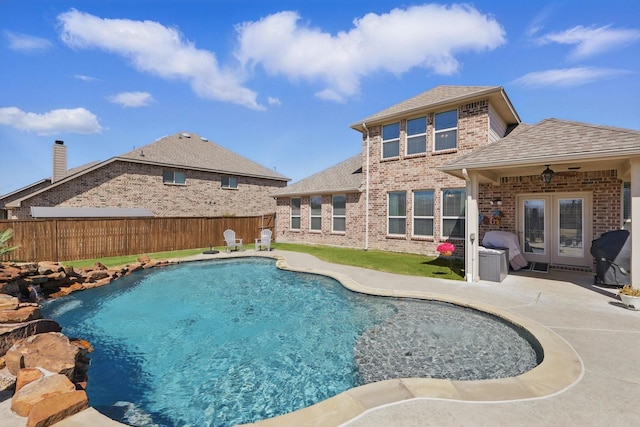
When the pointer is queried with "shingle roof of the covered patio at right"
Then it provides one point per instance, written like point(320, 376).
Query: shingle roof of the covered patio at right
point(552, 140)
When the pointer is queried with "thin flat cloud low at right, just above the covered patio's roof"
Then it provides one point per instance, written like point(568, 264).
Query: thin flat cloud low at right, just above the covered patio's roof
point(567, 77)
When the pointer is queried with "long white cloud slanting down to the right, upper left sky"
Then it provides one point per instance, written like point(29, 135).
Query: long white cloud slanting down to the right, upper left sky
point(155, 49)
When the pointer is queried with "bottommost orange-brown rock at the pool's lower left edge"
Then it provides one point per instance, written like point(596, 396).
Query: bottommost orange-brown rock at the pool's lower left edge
point(57, 408)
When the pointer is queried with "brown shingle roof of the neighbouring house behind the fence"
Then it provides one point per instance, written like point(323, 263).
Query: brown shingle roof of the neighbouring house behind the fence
point(176, 151)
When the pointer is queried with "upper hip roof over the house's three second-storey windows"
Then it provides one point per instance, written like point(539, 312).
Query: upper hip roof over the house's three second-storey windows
point(442, 97)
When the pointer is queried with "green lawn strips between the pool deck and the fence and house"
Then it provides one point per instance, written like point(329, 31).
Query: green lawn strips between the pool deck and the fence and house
point(391, 262)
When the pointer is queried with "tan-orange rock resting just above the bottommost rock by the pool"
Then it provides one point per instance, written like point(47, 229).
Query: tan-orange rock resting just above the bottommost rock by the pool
point(48, 386)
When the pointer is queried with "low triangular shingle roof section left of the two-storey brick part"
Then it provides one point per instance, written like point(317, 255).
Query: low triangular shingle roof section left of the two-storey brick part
point(344, 177)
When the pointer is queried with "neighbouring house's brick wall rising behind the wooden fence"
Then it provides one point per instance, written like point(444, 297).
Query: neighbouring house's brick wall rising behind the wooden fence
point(129, 185)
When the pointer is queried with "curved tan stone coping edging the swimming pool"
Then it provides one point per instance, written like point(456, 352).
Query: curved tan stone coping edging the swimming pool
point(559, 370)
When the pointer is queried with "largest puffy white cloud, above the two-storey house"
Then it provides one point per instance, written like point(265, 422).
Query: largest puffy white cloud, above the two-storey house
point(428, 36)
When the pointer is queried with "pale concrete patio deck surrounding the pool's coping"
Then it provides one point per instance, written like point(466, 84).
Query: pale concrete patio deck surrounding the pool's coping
point(592, 320)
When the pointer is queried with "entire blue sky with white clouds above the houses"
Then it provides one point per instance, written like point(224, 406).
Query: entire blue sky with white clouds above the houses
point(280, 82)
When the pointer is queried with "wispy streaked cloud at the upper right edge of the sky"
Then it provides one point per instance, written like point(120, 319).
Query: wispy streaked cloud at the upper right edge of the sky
point(590, 41)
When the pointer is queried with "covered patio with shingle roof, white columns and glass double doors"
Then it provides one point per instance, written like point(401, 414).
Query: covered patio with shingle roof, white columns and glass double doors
point(547, 168)
